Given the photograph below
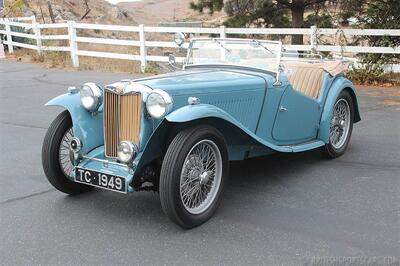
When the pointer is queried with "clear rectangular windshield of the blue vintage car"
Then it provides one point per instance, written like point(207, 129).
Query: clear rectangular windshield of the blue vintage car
point(250, 53)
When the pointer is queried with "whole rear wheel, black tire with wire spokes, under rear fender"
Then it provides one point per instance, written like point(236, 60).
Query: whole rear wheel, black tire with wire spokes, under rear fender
point(341, 126)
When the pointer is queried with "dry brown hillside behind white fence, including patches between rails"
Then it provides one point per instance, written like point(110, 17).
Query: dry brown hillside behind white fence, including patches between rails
point(148, 12)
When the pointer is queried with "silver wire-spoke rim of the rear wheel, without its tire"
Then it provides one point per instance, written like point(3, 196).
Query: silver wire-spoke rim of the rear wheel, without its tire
point(340, 124)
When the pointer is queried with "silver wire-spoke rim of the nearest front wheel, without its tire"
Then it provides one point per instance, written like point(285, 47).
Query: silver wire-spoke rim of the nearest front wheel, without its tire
point(201, 176)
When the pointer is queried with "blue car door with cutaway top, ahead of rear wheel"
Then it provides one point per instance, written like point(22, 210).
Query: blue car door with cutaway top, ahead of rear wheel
point(297, 118)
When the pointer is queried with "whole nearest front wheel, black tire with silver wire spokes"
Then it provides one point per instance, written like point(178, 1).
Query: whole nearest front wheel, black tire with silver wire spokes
point(192, 176)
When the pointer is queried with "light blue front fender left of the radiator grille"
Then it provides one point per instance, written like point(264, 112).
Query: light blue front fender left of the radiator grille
point(87, 127)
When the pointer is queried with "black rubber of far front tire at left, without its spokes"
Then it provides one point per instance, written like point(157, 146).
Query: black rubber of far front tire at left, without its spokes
point(50, 156)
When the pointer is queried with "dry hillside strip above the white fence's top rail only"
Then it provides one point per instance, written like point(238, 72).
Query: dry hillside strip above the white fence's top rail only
point(148, 12)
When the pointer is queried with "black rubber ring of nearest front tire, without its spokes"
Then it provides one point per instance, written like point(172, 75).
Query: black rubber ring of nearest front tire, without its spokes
point(171, 171)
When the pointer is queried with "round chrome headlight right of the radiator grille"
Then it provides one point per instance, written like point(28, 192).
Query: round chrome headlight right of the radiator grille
point(158, 103)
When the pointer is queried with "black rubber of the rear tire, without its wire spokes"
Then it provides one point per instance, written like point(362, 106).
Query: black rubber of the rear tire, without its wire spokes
point(328, 150)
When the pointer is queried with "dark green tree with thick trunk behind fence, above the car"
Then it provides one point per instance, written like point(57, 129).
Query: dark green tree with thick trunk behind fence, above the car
point(267, 13)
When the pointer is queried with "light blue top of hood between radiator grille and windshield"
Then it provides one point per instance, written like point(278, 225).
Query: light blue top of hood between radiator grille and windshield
point(181, 82)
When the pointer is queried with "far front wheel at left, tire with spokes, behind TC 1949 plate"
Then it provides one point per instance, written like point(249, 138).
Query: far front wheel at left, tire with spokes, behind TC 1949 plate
point(56, 162)
